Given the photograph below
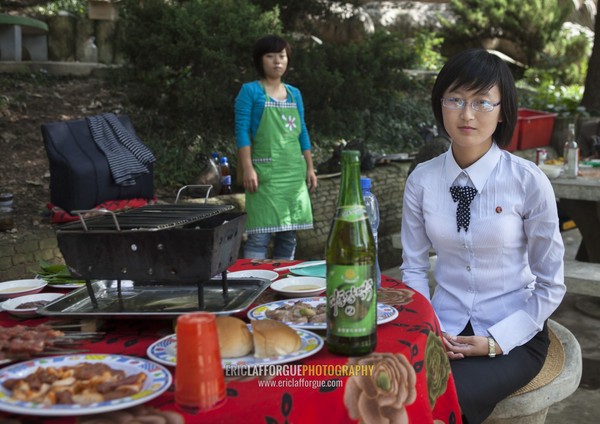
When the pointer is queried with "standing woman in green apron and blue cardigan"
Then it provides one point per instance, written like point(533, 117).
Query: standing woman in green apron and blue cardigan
point(274, 154)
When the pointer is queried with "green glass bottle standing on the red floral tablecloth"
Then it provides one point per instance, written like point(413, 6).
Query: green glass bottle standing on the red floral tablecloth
point(350, 257)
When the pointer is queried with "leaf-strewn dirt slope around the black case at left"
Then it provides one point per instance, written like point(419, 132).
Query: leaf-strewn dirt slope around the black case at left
point(26, 102)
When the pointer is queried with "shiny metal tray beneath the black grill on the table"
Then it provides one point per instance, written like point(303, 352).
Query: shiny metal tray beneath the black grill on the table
point(146, 300)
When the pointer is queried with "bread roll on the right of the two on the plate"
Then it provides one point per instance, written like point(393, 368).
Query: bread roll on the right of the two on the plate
point(273, 338)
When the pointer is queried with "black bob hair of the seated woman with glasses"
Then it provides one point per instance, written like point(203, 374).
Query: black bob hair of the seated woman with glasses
point(479, 70)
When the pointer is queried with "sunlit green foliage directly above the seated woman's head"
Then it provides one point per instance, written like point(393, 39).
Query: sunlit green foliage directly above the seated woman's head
point(529, 25)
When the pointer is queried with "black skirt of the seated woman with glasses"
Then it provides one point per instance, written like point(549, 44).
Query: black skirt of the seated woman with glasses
point(482, 382)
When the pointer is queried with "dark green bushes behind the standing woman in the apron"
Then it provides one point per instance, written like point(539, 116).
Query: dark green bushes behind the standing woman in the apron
point(189, 59)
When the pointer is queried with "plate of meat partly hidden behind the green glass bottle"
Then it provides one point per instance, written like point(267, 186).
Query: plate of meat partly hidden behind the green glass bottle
point(309, 312)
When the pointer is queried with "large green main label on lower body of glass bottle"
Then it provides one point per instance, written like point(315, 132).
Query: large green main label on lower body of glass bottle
point(351, 300)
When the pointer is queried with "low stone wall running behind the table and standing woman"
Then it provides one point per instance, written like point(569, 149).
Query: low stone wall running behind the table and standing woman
point(20, 255)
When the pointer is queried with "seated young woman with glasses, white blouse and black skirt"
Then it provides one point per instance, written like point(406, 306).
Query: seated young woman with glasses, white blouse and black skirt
point(492, 220)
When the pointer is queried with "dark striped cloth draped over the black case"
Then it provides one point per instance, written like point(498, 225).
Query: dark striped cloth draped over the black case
point(127, 156)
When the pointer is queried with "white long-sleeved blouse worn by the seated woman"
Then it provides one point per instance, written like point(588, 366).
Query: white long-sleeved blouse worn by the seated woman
point(505, 274)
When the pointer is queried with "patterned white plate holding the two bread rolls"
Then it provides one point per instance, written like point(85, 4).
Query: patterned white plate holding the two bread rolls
point(164, 351)
